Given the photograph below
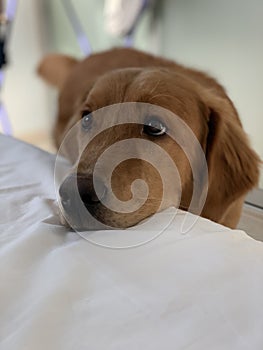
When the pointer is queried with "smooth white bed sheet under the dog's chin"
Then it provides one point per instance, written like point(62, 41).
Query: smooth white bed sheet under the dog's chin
point(200, 290)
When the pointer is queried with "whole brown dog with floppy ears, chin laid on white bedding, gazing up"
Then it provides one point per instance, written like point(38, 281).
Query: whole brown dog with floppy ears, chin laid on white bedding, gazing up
point(135, 112)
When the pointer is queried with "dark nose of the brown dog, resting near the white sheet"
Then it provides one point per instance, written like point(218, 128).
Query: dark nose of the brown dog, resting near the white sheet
point(75, 186)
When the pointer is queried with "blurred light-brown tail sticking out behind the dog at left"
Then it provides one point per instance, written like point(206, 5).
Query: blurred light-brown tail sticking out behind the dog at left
point(55, 68)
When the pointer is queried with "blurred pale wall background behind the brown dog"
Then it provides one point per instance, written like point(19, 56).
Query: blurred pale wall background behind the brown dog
point(223, 38)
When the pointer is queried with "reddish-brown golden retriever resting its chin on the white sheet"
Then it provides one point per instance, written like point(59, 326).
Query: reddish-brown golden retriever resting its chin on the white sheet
point(124, 75)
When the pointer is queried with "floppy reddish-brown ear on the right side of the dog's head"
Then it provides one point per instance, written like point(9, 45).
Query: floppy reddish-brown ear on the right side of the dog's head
point(232, 164)
